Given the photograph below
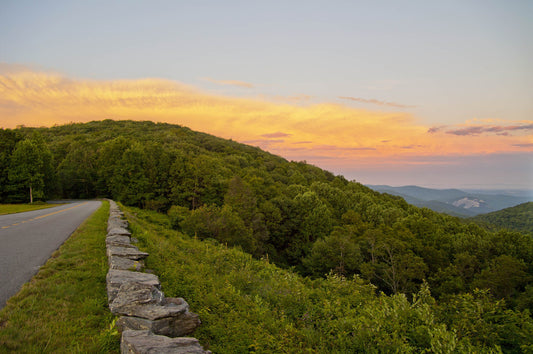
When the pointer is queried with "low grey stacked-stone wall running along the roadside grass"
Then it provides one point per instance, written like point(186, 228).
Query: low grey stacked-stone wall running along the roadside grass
point(149, 321)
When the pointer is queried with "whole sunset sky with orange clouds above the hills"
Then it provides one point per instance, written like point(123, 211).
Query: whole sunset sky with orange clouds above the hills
point(430, 93)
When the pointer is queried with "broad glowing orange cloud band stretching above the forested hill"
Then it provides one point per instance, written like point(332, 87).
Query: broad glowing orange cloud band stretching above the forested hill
point(334, 133)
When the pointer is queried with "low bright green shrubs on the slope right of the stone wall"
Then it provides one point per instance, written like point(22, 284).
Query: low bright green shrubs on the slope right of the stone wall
point(248, 305)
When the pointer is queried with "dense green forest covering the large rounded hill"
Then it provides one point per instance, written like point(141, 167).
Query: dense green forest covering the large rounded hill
point(295, 214)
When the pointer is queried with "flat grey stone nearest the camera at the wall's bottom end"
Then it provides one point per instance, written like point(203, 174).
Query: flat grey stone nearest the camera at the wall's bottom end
point(146, 342)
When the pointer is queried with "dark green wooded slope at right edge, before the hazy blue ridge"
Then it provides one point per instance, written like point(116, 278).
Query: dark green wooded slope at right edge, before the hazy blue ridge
point(519, 218)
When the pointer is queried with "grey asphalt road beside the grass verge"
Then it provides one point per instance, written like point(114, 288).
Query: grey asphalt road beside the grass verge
point(28, 239)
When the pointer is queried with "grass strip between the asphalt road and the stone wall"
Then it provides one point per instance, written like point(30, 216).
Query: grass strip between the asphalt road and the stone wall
point(63, 309)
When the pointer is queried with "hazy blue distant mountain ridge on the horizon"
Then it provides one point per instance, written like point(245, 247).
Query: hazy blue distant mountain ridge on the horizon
point(456, 202)
